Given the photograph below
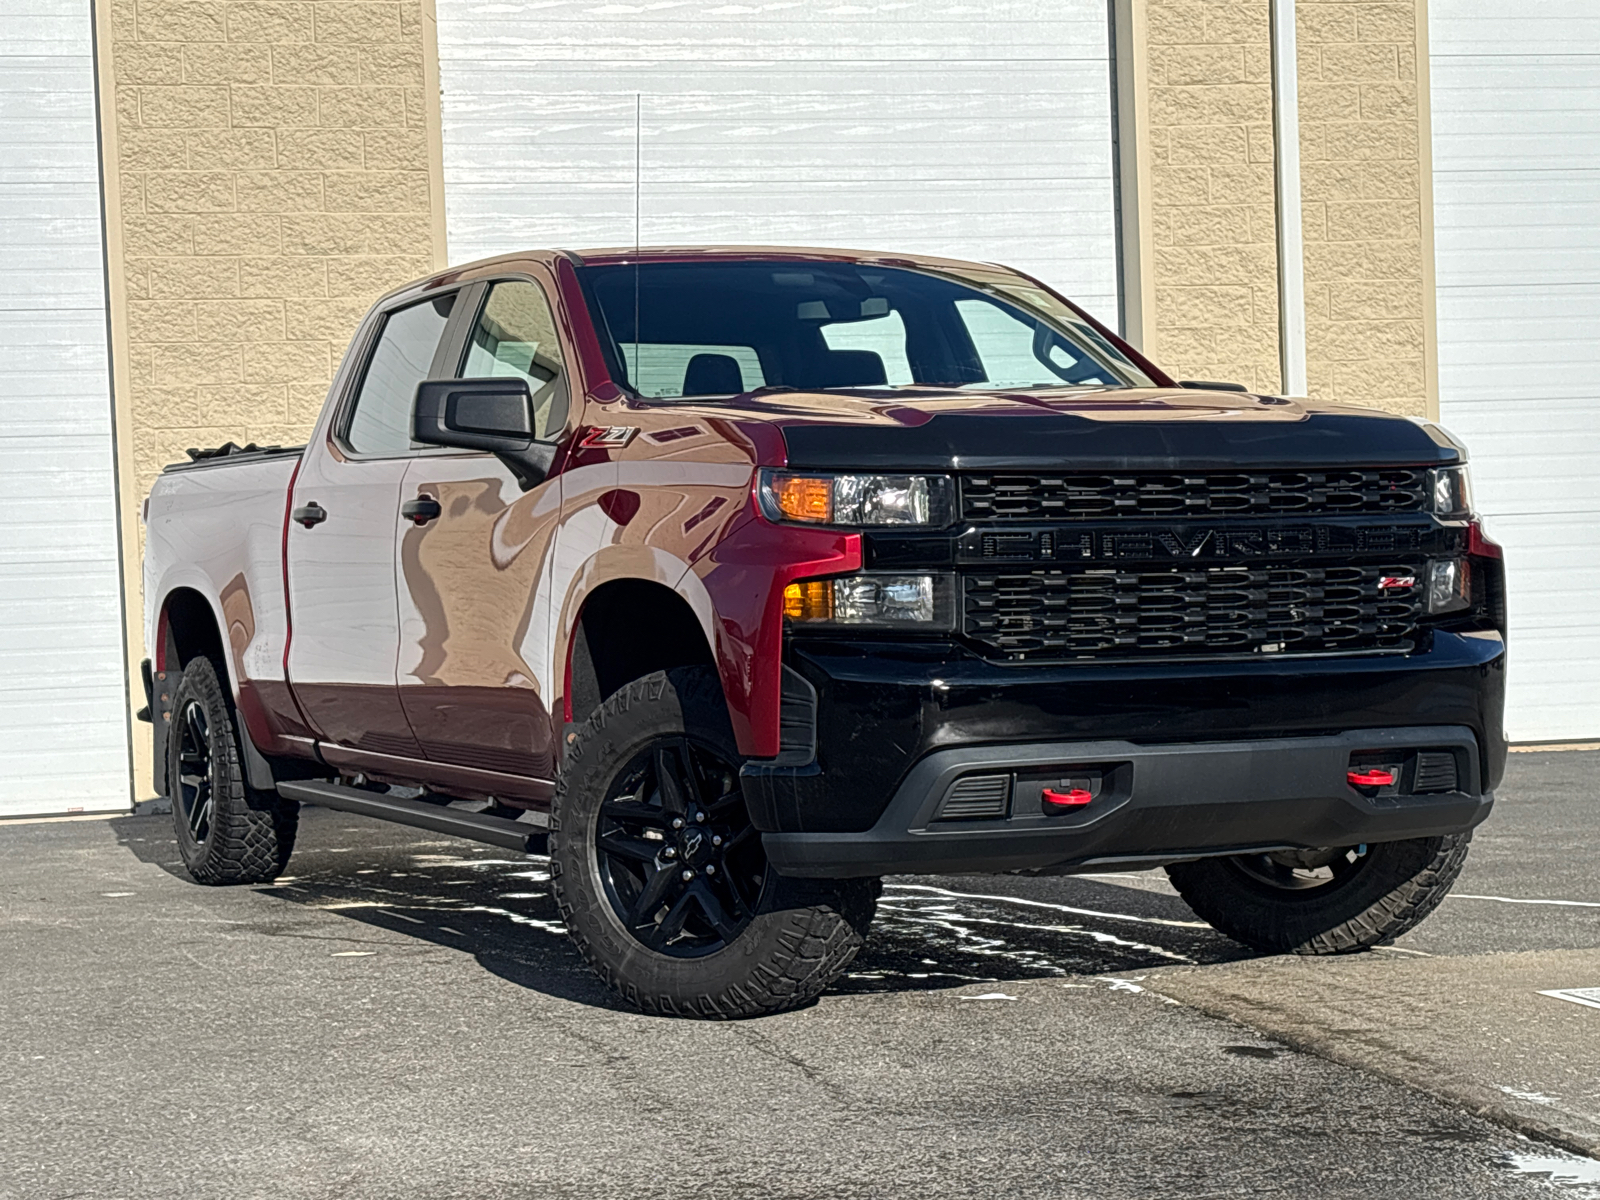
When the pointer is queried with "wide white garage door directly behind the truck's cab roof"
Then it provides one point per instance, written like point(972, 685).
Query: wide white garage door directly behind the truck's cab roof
point(921, 126)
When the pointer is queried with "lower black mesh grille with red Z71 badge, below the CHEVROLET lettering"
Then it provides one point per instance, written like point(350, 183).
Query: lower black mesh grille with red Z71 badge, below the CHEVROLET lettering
point(1204, 612)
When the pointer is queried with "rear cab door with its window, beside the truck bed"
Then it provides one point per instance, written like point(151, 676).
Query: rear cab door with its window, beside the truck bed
point(340, 550)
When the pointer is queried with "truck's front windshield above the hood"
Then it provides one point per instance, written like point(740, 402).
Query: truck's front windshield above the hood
point(721, 329)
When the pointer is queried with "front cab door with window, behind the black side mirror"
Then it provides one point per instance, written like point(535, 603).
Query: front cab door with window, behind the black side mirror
point(474, 671)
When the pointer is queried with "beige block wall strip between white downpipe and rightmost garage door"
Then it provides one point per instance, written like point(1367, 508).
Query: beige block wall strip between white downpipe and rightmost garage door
point(1362, 178)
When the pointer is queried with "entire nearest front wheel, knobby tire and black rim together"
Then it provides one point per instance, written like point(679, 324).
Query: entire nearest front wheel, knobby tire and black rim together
point(662, 876)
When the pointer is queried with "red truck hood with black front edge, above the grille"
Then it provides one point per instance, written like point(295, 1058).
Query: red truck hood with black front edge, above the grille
point(1130, 430)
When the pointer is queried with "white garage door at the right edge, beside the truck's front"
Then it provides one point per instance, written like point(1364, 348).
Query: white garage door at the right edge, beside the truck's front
point(1518, 209)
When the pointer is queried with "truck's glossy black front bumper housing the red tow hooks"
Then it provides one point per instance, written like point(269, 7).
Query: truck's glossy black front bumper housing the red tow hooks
point(886, 711)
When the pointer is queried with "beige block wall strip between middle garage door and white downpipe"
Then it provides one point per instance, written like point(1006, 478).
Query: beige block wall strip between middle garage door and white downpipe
point(1212, 191)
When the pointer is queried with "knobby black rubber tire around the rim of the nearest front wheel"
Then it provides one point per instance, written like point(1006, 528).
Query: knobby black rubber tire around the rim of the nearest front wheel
point(817, 927)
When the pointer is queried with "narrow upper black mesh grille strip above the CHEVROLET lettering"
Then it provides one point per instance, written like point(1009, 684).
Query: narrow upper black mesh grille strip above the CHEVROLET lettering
point(1329, 494)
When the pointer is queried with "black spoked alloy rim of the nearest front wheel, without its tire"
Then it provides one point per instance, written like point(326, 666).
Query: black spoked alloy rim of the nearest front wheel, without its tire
point(681, 863)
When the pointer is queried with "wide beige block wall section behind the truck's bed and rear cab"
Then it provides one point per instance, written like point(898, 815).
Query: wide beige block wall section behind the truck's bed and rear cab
point(274, 174)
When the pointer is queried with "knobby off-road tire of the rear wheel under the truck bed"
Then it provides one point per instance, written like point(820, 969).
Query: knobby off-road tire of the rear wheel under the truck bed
point(249, 834)
